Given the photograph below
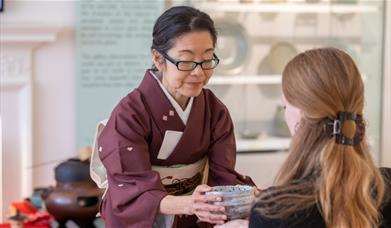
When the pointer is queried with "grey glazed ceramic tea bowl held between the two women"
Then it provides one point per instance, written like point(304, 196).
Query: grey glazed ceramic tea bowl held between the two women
point(237, 199)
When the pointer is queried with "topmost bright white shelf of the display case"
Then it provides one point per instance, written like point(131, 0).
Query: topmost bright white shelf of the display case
point(287, 7)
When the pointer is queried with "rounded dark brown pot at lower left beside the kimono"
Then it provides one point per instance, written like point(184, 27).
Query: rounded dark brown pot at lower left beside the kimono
point(75, 196)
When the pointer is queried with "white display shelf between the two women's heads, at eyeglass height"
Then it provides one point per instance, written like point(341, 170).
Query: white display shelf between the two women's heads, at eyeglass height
point(245, 79)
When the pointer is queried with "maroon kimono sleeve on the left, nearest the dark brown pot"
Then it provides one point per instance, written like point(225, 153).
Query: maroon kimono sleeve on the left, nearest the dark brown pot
point(135, 191)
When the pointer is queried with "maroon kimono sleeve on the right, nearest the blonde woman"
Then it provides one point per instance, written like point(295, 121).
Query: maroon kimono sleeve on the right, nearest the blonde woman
point(222, 151)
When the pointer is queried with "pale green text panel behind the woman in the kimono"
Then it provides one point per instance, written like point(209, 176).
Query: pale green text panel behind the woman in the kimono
point(112, 54)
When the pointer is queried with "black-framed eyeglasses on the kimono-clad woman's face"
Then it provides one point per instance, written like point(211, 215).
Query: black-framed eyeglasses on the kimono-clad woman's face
point(191, 65)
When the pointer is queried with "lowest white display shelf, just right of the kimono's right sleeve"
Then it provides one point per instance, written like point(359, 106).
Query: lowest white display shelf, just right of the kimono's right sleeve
point(263, 144)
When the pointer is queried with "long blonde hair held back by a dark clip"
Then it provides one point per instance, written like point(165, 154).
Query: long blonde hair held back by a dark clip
point(342, 180)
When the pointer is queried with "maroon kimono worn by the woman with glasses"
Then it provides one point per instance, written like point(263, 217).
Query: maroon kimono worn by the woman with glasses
point(130, 142)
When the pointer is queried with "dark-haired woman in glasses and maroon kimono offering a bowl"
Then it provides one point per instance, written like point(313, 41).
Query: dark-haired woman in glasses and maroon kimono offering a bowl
point(170, 139)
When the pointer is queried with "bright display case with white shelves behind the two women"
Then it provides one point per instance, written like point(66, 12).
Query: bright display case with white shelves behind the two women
point(350, 25)
